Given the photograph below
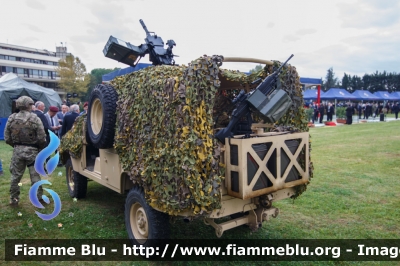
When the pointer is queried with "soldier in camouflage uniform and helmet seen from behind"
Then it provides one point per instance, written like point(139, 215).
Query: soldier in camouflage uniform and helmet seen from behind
point(24, 131)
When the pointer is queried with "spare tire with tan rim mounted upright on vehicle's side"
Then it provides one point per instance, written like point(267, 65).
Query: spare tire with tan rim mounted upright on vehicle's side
point(101, 116)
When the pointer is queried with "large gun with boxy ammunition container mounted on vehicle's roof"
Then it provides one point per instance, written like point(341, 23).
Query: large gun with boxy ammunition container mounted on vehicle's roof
point(129, 54)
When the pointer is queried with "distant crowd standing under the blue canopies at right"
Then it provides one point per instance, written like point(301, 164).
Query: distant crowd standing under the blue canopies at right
point(363, 110)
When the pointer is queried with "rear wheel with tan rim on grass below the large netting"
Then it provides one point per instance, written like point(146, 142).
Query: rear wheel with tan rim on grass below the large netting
point(145, 226)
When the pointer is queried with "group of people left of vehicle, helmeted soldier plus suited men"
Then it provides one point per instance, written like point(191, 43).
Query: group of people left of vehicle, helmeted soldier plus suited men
point(28, 132)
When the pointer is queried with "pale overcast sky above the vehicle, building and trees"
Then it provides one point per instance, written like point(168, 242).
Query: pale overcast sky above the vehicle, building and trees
point(351, 36)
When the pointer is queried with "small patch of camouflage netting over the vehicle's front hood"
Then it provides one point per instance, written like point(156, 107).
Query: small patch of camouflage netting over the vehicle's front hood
point(72, 141)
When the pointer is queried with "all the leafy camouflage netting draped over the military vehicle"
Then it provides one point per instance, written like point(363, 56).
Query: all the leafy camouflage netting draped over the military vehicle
point(167, 116)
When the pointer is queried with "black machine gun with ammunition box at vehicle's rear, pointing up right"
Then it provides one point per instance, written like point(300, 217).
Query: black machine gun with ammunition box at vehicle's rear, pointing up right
point(265, 98)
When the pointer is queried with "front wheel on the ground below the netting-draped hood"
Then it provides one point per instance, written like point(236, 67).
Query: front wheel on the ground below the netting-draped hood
point(76, 183)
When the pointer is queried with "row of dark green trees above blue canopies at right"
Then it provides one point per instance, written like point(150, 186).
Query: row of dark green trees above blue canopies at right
point(378, 81)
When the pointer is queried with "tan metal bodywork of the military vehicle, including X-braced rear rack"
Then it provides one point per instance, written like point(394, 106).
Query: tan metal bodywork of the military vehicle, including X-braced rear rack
point(239, 195)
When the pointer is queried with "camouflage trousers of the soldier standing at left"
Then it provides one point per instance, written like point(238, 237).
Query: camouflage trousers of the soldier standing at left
point(23, 156)
